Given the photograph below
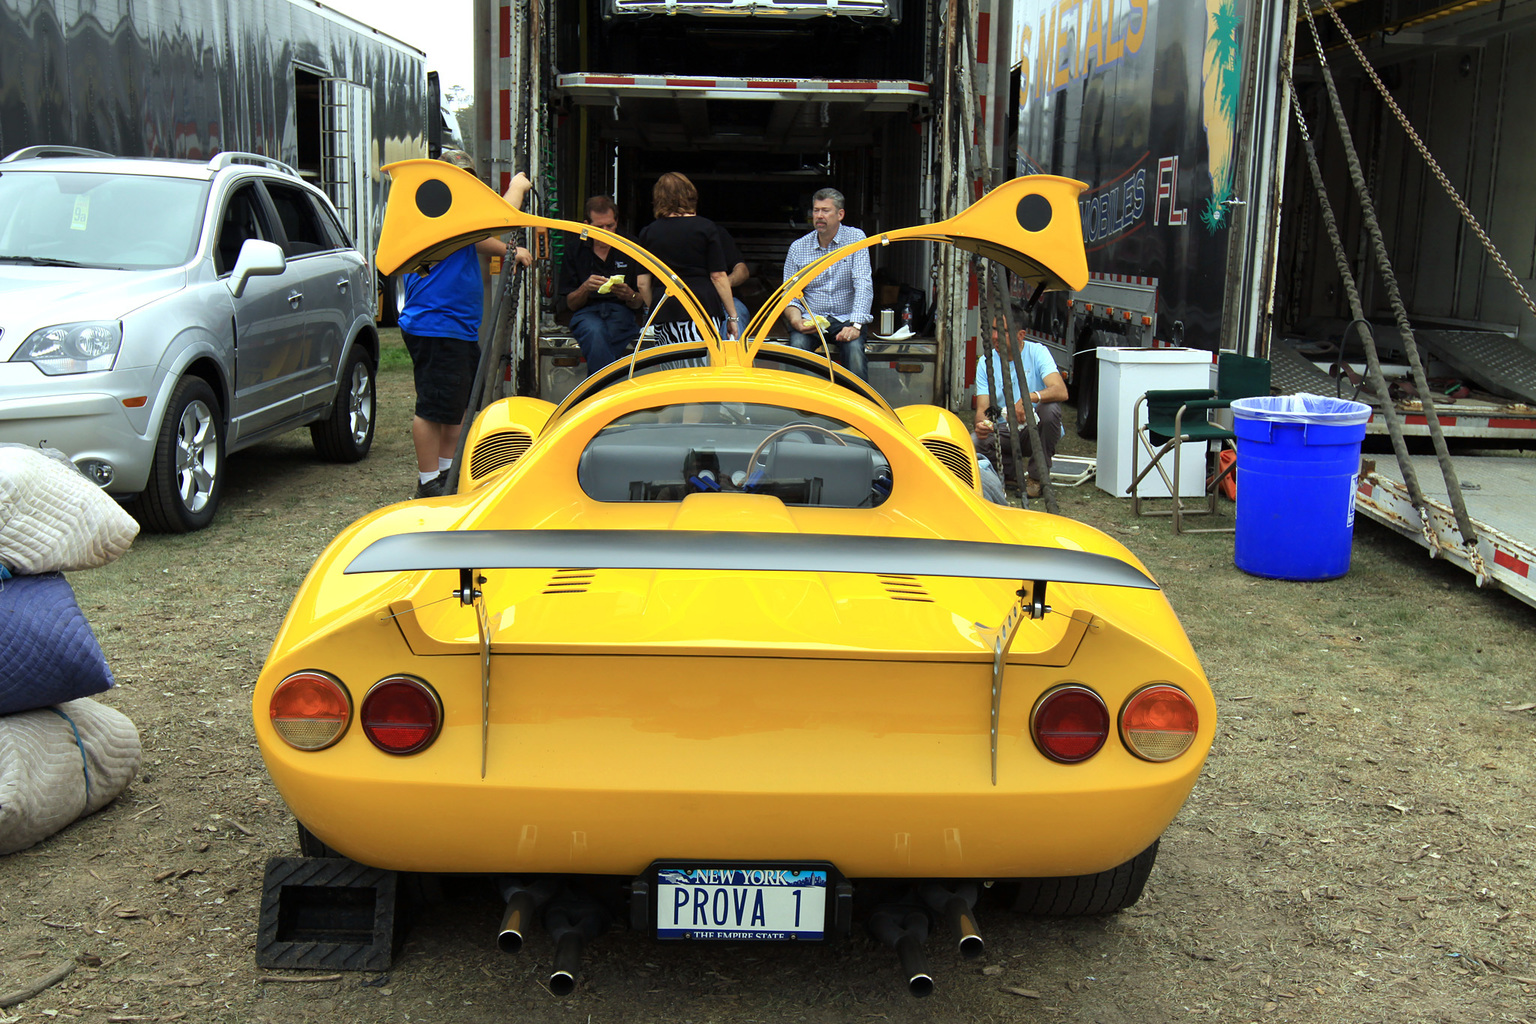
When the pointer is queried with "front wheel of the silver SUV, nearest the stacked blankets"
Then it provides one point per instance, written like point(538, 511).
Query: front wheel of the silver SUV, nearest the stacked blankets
point(188, 474)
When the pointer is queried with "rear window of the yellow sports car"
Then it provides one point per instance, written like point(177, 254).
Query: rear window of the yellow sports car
point(666, 454)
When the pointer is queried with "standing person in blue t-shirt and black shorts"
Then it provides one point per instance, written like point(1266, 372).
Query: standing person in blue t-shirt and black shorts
point(440, 323)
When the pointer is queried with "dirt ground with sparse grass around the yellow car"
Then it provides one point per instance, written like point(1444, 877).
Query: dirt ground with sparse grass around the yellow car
point(1360, 847)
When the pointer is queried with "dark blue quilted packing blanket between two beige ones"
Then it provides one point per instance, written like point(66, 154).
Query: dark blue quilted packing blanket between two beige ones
point(48, 653)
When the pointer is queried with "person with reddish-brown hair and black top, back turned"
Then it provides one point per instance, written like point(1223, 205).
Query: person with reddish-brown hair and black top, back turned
point(690, 245)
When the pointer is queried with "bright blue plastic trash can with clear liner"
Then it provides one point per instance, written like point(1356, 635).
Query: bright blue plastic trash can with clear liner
point(1299, 469)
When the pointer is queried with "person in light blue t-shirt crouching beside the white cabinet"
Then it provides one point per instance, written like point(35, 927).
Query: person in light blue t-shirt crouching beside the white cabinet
point(1044, 389)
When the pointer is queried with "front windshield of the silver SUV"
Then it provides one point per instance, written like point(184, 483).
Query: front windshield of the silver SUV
point(99, 220)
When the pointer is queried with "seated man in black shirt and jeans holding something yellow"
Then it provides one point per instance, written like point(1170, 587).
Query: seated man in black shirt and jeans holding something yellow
point(603, 323)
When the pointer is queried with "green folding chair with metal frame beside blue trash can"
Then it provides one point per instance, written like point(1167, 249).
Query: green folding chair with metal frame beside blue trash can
point(1167, 431)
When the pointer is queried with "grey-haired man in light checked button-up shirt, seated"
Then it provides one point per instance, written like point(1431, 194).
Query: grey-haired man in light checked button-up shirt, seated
point(842, 294)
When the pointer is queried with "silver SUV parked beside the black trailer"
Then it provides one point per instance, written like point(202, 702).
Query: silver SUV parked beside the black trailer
point(157, 315)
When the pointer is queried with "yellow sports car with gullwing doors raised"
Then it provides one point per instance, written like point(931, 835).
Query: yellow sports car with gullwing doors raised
point(727, 649)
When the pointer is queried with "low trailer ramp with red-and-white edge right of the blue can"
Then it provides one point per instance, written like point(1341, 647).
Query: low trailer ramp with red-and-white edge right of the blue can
point(1498, 494)
